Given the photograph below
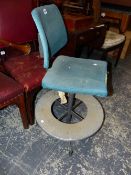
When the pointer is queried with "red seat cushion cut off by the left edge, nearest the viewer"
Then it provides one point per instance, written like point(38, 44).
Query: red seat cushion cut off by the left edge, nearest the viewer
point(9, 88)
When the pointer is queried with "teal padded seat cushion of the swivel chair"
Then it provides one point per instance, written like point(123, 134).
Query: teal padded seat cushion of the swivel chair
point(77, 75)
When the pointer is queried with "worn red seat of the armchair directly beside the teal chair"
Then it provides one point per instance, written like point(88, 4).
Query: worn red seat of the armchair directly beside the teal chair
point(27, 70)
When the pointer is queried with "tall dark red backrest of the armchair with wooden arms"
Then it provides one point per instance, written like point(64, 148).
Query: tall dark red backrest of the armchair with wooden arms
point(16, 24)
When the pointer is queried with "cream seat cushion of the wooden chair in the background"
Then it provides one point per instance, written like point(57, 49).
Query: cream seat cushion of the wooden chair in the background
point(112, 39)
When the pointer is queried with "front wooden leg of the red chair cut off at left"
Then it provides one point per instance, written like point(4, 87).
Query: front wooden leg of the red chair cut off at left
point(22, 108)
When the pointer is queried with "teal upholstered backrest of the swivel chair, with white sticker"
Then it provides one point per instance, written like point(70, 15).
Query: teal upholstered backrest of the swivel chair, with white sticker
point(52, 33)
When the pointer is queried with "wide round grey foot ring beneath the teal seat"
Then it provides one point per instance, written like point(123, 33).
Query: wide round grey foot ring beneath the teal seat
point(64, 131)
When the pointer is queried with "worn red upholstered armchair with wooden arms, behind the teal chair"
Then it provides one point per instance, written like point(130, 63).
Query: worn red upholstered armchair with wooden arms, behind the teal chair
point(17, 26)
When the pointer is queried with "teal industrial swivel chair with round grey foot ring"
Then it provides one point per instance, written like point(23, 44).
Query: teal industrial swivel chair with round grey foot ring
point(67, 75)
